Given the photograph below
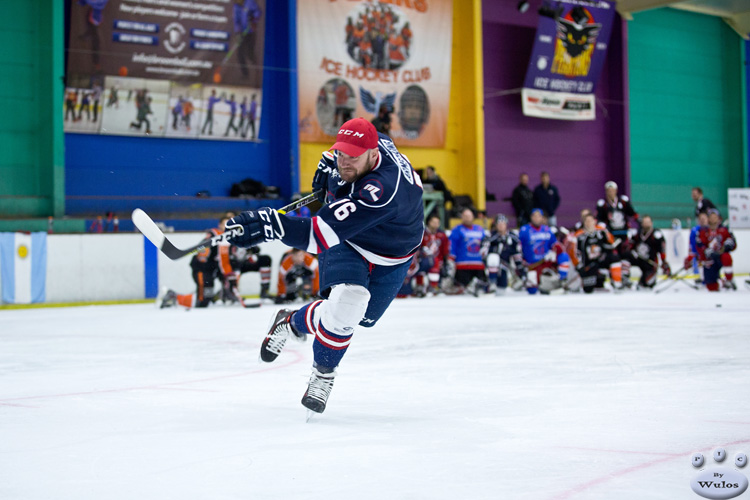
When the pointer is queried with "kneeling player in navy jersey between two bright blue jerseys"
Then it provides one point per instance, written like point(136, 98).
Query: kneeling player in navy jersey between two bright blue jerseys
point(503, 248)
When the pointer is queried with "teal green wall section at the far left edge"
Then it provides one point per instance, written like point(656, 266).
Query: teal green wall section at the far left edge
point(31, 91)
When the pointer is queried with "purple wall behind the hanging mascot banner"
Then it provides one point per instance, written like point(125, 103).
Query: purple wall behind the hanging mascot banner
point(580, 156)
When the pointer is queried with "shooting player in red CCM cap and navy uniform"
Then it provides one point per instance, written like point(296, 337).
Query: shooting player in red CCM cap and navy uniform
point(365, 237)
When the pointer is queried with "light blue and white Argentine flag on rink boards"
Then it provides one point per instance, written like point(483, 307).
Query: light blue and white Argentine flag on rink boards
point(23, 267)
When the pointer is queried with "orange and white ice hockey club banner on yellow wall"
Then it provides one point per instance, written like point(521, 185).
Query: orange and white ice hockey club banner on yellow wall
point(379, 60)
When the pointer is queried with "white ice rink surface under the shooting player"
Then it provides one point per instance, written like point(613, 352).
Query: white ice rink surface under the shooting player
point(516, 397)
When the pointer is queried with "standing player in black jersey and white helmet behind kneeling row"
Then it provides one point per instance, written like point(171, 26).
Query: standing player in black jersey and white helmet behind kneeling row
point(615, 211)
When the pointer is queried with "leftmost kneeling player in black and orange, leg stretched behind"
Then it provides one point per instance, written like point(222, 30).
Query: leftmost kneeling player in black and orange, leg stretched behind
point(207, 265)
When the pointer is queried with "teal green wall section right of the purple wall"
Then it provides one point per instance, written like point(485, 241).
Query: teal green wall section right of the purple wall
point(686, 121)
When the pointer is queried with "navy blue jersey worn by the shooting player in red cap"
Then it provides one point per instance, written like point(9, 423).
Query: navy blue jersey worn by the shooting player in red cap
point(379, 215)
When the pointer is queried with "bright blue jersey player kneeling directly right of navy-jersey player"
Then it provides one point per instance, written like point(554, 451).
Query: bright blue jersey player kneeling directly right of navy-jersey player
point(542, 255)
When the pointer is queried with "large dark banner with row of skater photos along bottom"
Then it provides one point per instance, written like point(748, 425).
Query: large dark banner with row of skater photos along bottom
point(137, 68)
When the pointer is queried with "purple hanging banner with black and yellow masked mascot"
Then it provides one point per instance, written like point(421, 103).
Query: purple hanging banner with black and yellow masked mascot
point(569, 51)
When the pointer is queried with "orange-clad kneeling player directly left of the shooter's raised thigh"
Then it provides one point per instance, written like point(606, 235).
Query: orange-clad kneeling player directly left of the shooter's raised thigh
point(298, 276)
